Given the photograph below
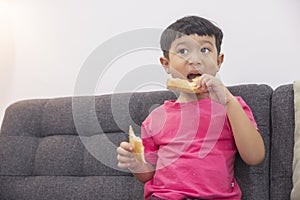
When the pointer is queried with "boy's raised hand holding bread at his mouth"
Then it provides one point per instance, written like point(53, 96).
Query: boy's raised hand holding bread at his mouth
point(217, 90)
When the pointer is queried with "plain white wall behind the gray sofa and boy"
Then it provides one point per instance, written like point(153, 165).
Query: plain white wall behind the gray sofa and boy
point(44, 44)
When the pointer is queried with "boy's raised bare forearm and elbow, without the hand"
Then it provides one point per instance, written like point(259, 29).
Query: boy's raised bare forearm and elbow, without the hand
point(248, 140)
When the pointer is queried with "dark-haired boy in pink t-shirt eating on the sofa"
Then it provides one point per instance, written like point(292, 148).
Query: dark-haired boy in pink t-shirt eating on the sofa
point(190, 143)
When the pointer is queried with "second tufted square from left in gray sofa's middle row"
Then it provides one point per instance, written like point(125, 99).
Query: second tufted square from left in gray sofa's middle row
point(59, 156)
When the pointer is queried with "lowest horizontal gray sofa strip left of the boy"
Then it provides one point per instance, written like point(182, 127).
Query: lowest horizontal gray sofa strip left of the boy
point(69, 187)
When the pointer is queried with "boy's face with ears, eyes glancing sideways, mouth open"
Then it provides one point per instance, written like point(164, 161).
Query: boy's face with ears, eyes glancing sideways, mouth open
point(191, 56)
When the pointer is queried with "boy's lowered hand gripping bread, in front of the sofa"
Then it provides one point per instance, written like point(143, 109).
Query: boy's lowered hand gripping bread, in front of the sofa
point(126, 158)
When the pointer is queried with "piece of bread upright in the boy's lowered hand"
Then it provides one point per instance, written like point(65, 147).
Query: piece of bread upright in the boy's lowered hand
point(137, 145)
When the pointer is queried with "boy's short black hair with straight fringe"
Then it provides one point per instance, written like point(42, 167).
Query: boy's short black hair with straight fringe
point(187, 26)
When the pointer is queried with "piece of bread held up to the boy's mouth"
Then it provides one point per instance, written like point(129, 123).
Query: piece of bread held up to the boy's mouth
point(182, 85)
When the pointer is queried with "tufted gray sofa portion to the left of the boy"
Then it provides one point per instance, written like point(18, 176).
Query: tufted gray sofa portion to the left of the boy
point(49, 148)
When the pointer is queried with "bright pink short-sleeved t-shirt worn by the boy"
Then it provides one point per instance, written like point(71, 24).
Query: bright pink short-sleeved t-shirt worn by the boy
point(193, 148)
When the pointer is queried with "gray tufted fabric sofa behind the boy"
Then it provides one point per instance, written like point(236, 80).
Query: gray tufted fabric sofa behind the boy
point(64, 148)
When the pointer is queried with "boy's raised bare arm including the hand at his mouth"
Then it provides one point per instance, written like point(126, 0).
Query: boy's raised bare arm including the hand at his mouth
point(248, 140)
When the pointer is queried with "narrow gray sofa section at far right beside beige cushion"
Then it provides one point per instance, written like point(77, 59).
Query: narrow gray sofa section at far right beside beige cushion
point(282, 142)
